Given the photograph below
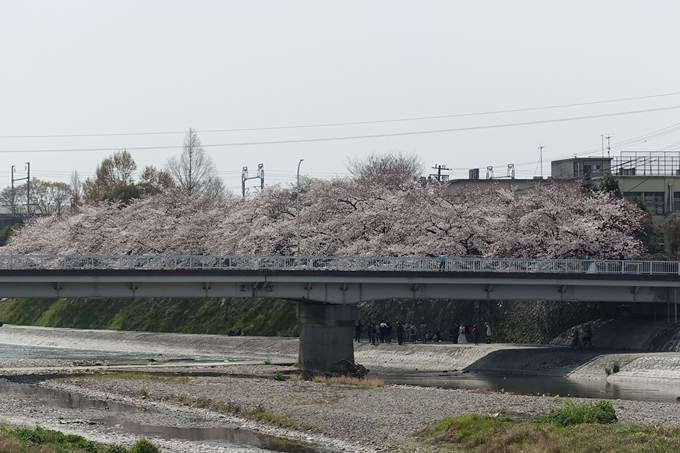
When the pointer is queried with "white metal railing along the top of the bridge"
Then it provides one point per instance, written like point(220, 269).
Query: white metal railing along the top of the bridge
point(343, 263)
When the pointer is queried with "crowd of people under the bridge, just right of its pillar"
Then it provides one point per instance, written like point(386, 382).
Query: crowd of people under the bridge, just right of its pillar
point(383, 331)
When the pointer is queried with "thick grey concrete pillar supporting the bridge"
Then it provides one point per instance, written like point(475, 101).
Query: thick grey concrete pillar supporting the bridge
point(326, 345)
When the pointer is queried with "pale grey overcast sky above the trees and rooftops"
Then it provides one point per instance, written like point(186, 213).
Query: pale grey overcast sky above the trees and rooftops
point(140, 67)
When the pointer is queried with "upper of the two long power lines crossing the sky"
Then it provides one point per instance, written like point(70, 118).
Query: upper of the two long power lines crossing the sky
point(350, 123)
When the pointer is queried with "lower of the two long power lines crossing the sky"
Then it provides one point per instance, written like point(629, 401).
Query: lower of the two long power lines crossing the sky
point(355, 137)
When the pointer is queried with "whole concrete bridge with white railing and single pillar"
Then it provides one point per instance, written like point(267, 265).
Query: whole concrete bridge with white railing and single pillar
point(327, 289)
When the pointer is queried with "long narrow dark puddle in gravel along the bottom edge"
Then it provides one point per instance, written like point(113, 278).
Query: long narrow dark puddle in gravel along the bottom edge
point(214, 436)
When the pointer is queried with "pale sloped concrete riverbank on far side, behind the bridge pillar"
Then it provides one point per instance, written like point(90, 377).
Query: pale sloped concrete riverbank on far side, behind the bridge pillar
point(584, 364)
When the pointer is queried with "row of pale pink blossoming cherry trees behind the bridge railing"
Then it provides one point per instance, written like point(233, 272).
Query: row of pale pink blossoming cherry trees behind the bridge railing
point(348, 216)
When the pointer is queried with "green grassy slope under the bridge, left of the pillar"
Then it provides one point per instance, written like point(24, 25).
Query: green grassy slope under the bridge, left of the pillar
point(260, 317)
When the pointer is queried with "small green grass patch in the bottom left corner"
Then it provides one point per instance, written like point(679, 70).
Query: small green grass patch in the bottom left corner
point(41, 440)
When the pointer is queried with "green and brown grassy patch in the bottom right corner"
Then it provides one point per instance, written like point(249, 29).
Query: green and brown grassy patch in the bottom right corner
point(571, 428)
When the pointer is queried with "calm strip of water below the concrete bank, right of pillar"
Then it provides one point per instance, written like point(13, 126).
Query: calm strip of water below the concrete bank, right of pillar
point(532, 385)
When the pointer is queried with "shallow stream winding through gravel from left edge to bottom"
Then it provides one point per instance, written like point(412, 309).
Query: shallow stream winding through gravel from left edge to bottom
point(118, 416)
